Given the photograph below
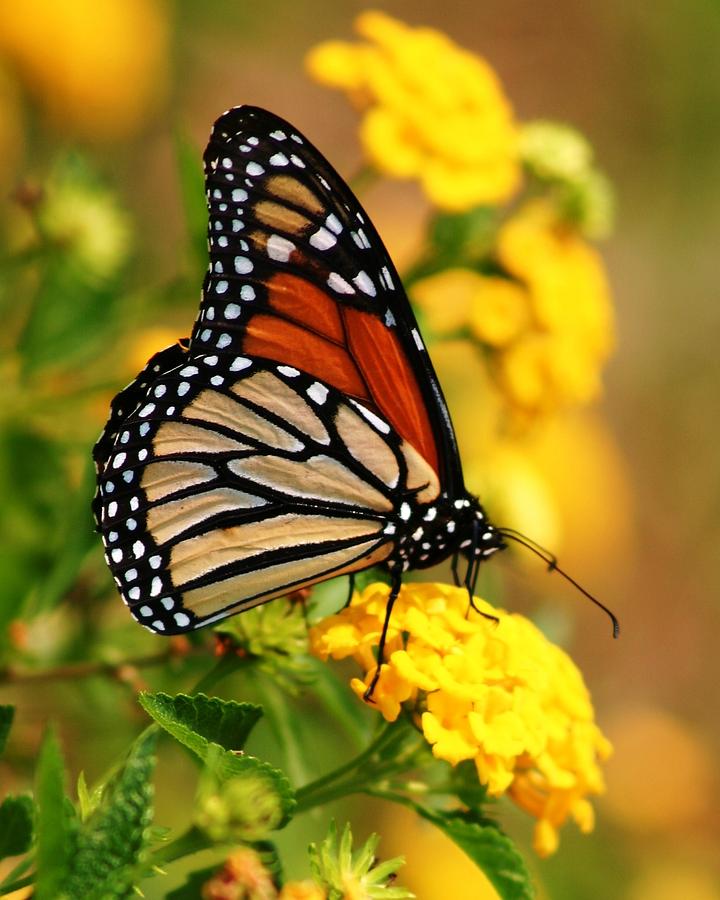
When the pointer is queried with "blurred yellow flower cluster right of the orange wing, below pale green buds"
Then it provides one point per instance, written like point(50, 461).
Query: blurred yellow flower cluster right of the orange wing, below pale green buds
point(546, 324)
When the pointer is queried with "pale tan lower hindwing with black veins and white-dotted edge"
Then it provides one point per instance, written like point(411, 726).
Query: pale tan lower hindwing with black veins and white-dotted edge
point(234, 481)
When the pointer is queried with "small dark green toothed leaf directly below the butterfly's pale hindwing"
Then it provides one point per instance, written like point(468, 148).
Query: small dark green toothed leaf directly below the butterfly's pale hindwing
point(195, 721)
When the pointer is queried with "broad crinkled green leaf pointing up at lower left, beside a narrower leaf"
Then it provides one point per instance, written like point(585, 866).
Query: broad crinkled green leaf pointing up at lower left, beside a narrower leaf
point(111, 843)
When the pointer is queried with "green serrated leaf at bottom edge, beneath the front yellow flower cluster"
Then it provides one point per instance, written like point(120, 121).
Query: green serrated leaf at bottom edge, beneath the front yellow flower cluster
point(490, 849)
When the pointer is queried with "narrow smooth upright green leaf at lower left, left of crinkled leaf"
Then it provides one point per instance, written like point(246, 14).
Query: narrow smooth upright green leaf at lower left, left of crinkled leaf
point(55, 824)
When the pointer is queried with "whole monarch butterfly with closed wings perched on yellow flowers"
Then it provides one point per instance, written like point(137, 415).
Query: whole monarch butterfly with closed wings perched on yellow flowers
point(301, 432)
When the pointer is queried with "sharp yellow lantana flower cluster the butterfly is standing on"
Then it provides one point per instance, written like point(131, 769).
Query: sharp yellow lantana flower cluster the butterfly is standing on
point(499, 694)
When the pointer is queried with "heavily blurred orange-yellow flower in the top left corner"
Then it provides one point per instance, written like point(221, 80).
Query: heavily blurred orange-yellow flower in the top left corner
point(97, 66)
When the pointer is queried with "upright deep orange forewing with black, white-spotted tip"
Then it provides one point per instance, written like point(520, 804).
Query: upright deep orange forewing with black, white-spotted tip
point(298, 274)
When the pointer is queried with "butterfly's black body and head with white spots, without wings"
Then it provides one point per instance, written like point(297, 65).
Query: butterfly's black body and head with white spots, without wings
point(430, 533)
